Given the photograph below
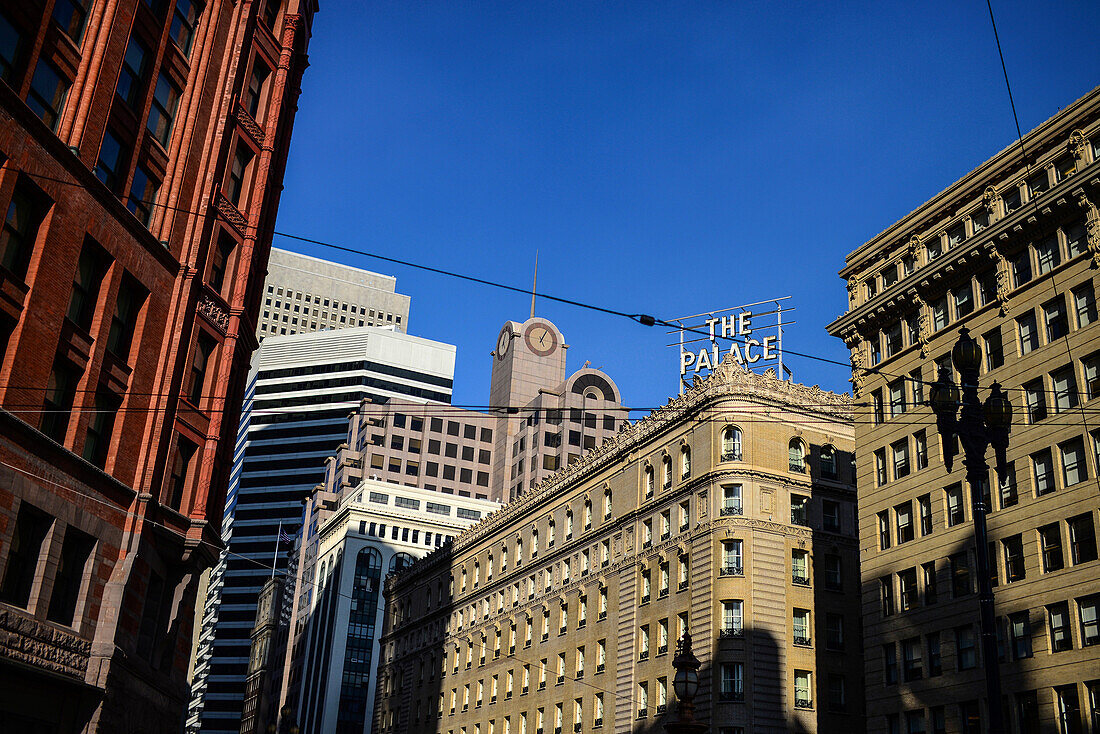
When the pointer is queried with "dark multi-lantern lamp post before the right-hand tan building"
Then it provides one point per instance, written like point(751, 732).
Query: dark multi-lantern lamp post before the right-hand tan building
point(977, 425)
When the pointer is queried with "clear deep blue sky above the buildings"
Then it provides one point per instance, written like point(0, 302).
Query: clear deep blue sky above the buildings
point(663, 158)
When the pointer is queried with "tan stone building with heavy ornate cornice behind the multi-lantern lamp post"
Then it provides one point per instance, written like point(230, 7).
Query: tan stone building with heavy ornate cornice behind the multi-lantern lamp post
point(1011, 253)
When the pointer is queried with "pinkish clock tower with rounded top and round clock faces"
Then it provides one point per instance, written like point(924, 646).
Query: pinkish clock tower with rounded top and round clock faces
point(527, 358)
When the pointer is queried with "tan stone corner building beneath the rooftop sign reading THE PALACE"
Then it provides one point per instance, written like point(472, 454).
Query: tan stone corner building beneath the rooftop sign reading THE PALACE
point(730, 512)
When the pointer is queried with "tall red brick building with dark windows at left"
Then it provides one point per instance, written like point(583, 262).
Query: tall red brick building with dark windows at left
point(142, 151)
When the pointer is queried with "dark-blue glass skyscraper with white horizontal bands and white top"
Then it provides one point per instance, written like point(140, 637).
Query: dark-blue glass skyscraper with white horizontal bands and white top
point(300, 396)
